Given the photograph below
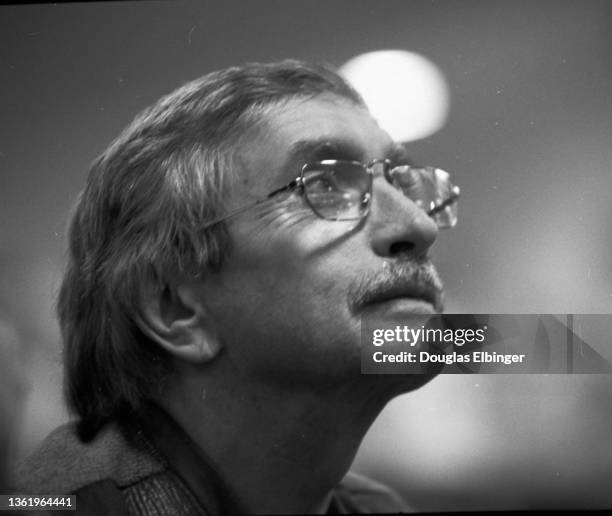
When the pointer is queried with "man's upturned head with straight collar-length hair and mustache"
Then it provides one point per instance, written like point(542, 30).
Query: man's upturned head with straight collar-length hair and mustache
point(275, 293)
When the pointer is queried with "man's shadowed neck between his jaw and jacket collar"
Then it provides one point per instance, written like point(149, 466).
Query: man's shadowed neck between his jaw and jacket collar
point(278, 451)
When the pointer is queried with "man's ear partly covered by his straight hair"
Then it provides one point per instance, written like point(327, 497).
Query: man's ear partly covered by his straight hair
point(175, 318)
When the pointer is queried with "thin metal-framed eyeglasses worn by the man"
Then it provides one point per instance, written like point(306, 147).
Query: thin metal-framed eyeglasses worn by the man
point(342, 190)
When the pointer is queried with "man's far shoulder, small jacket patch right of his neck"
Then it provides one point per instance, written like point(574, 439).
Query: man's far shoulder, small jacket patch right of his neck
point(360, 494)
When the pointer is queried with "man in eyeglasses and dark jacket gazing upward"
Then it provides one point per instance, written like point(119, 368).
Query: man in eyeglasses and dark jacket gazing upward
point(222, 255)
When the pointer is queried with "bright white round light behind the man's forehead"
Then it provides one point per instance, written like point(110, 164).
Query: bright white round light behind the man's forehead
point(405, 92)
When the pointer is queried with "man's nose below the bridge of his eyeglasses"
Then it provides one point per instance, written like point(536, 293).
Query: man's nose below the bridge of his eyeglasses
point(397, 225)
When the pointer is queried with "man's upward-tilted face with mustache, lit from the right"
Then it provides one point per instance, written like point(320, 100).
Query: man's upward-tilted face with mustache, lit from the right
point(289, 299)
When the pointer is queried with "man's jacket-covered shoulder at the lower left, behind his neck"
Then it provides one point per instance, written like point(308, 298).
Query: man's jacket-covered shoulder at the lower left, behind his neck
point(64, 464)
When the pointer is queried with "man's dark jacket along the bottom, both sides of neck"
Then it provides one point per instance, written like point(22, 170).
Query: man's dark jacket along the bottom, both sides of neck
point(116, 474)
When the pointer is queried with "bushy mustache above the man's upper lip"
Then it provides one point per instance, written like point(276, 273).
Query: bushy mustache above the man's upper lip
point(414, 278)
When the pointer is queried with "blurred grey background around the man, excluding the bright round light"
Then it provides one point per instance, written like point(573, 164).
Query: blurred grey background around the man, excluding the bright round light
point(528, 137)
